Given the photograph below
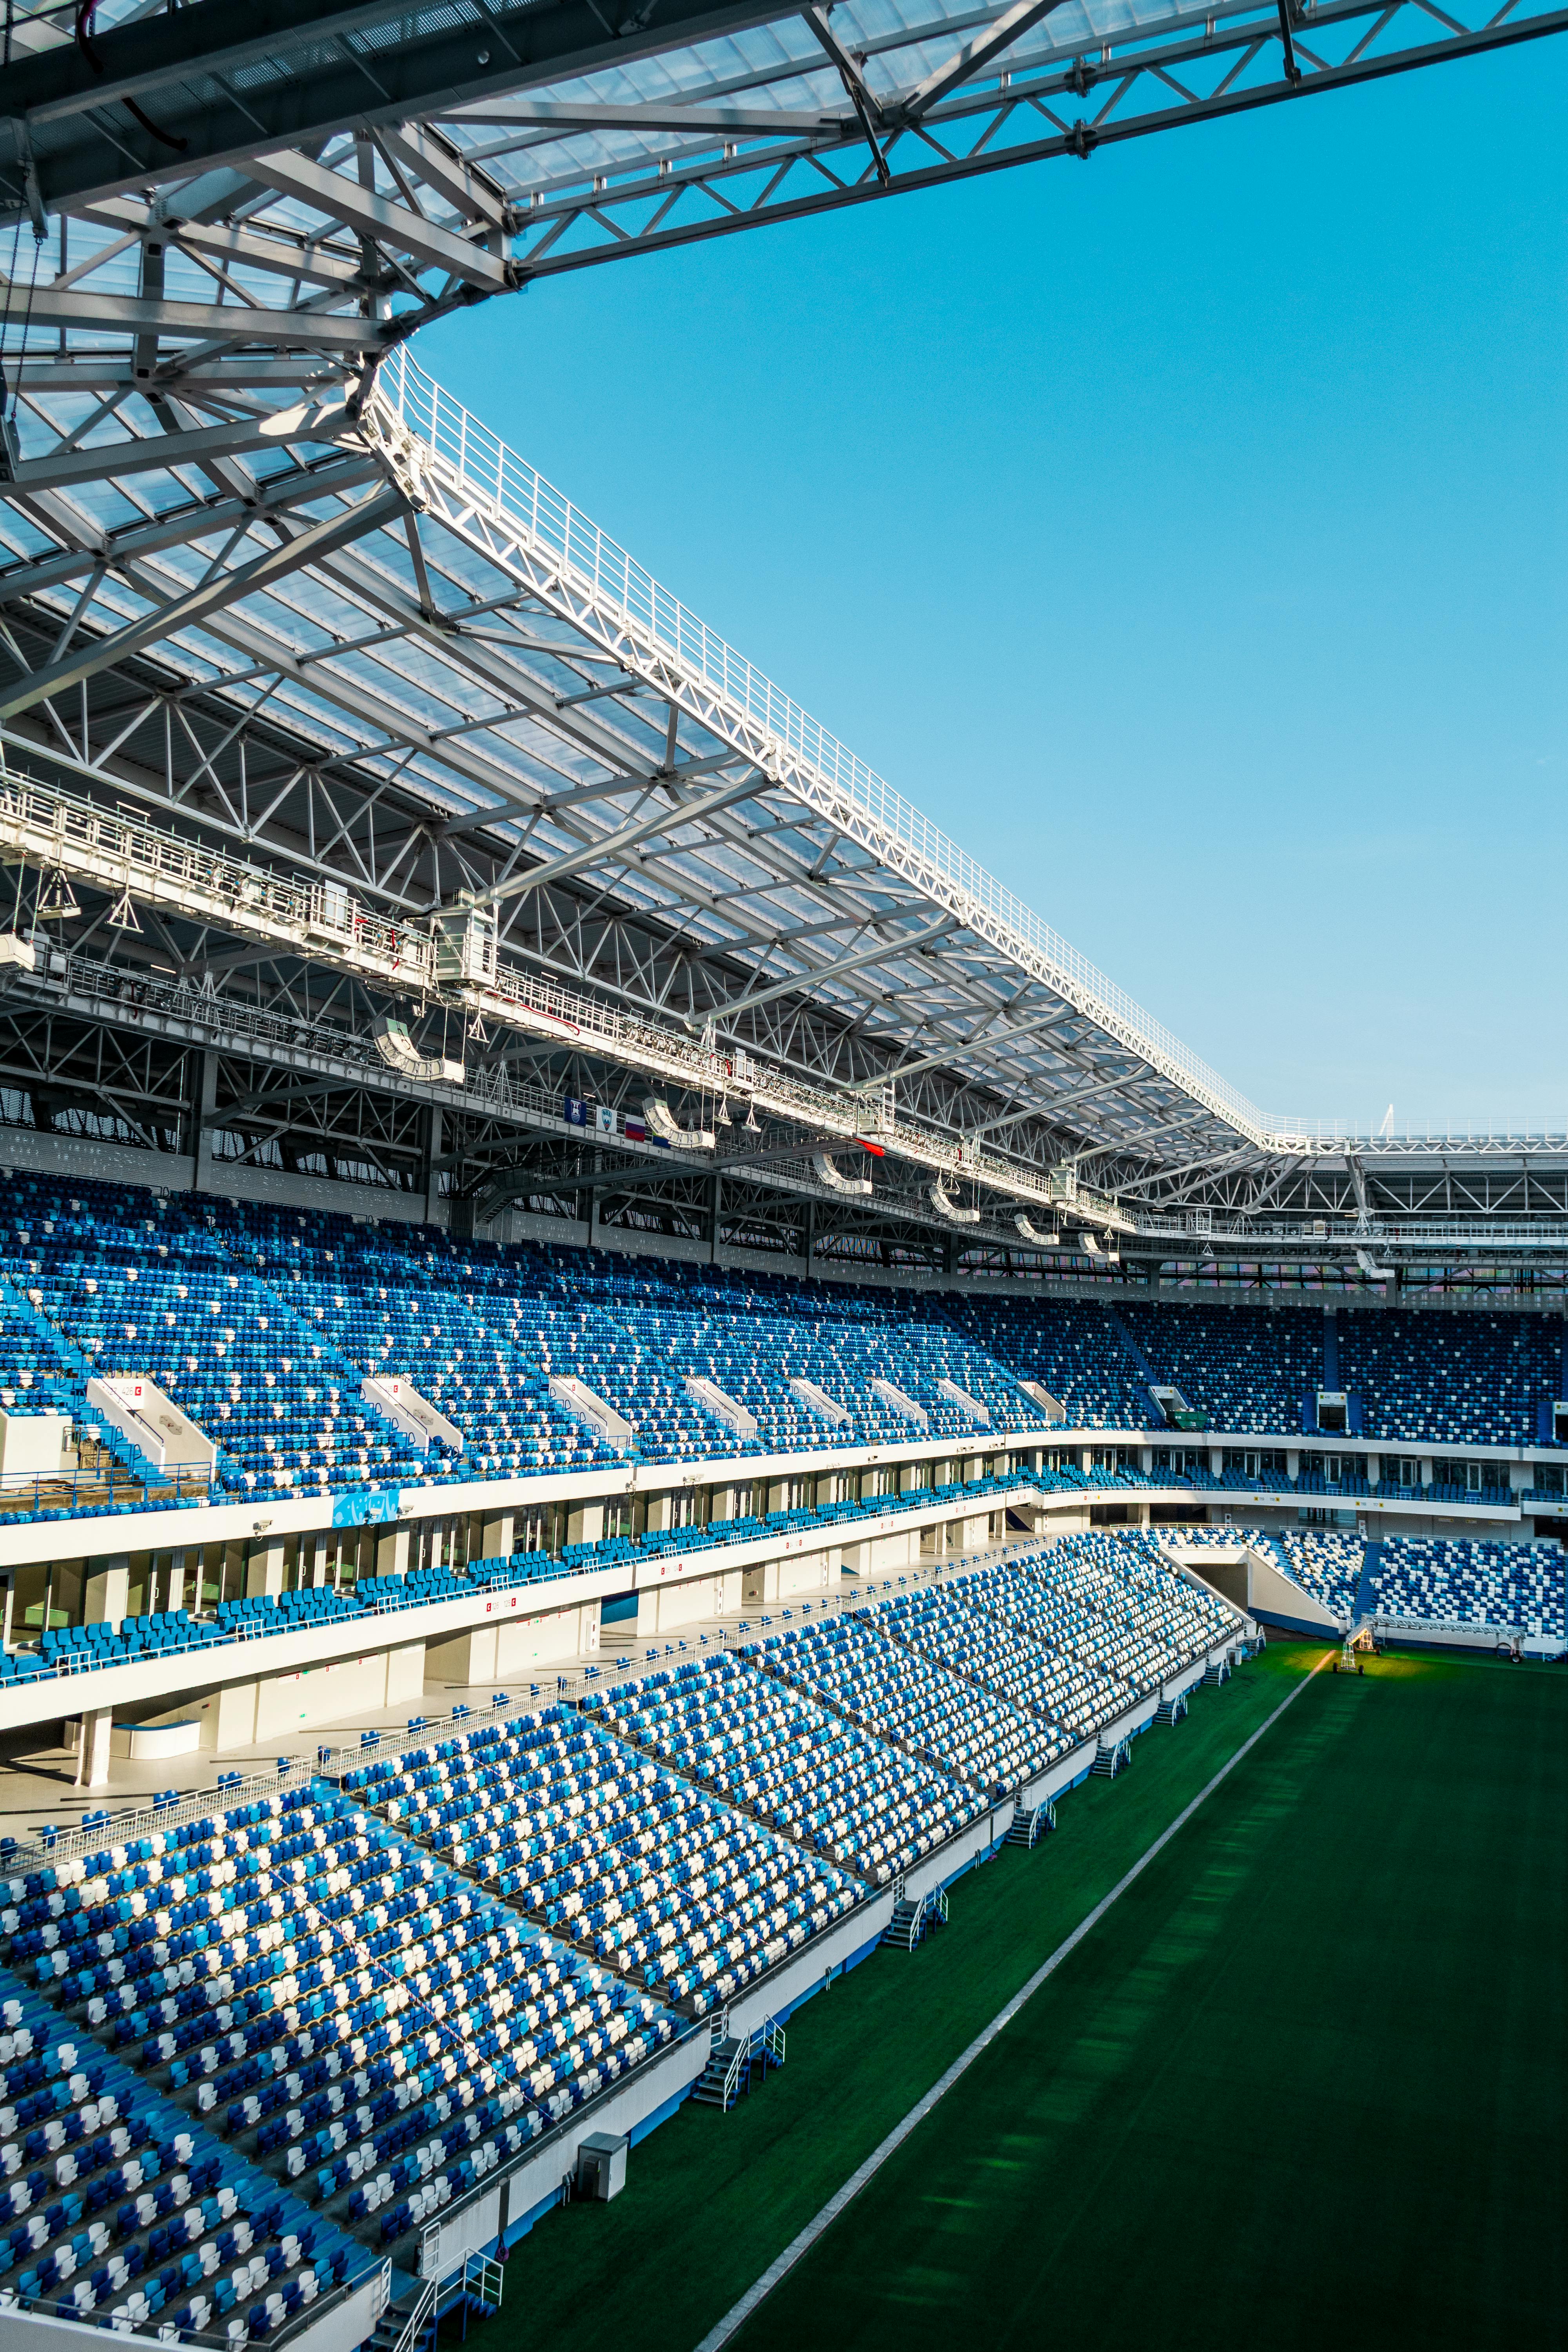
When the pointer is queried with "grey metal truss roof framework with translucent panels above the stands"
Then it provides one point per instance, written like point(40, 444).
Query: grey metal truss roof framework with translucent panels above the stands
point(323, 709)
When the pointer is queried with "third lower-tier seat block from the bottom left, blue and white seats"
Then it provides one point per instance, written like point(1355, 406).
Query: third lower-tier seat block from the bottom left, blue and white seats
point(669, 1887)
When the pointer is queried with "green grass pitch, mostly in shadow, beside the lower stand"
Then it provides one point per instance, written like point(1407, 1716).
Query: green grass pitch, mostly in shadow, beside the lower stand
point(1306, 2080)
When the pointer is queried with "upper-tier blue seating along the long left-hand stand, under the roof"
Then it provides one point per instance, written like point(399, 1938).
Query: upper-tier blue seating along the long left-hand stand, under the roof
point(262, 1325)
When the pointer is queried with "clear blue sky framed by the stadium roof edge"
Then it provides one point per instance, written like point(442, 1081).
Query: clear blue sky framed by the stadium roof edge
point(1186, 533)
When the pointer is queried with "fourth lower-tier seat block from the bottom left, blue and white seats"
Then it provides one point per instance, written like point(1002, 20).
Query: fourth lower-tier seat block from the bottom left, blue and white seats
point(829, 1786)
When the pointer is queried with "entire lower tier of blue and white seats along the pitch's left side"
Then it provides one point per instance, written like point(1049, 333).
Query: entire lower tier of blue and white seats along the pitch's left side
point(253, 2052)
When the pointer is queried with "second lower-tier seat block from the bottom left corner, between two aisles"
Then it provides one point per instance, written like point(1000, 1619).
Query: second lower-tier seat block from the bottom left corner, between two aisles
point(330, 1996)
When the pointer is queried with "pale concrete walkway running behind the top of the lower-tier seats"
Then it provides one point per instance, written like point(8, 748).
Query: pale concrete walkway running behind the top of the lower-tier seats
point(39, 1784)
